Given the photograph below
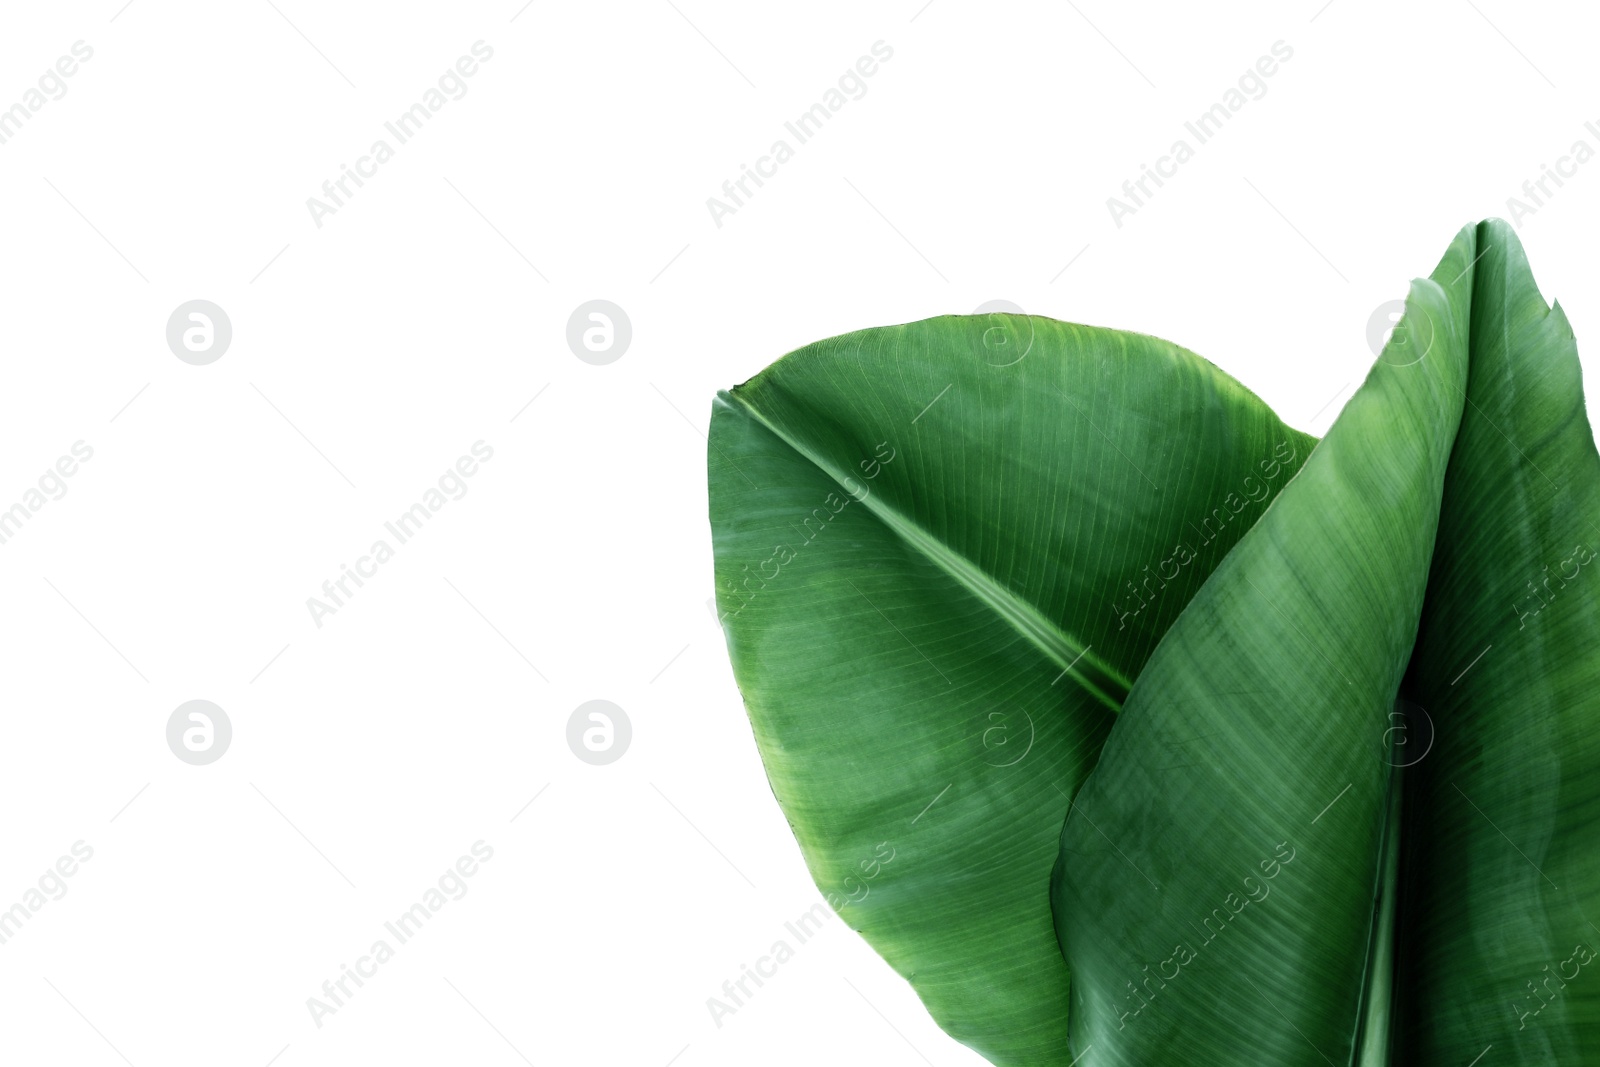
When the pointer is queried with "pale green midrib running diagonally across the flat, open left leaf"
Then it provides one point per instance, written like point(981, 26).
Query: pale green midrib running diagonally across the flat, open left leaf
point(1070, 653)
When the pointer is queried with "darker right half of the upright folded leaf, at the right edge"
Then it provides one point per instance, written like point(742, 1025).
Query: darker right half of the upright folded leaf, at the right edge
point(1502, 879)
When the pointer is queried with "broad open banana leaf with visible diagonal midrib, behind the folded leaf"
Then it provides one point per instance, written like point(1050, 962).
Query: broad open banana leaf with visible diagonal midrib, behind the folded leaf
point(943, 553)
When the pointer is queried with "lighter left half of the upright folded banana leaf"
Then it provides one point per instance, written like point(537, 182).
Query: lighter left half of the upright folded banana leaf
point(1249, 780)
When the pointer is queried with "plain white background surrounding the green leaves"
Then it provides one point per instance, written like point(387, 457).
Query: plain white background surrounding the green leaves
point(369, 354)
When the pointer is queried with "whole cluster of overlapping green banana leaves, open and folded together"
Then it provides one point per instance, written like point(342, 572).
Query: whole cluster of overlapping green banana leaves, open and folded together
point(1135, 727)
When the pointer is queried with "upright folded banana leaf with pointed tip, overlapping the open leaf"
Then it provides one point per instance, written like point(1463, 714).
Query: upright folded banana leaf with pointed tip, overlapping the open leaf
point(1276, 863)
